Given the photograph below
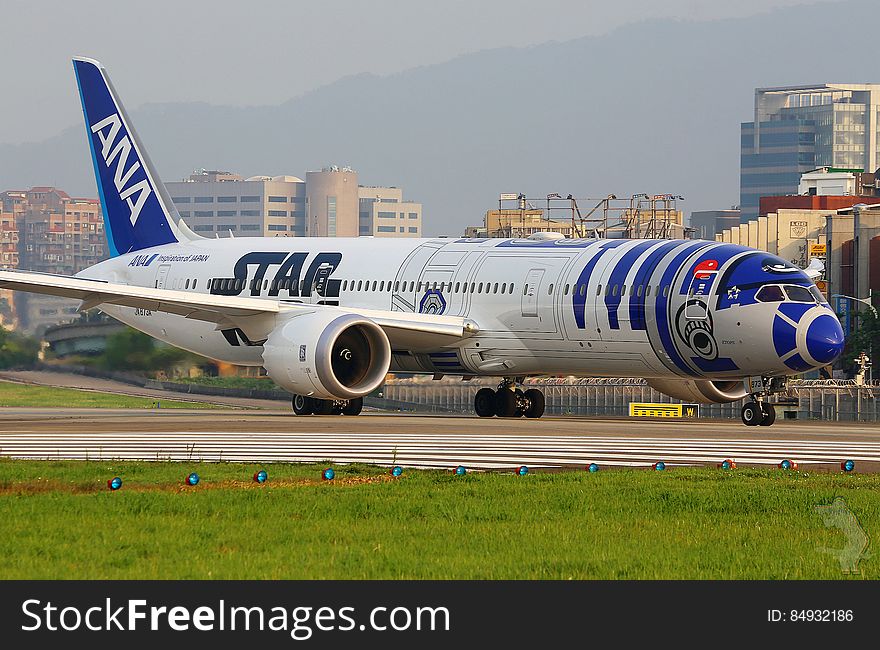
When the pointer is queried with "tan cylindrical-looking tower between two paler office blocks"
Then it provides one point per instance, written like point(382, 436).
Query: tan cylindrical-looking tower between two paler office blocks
point(332, 202)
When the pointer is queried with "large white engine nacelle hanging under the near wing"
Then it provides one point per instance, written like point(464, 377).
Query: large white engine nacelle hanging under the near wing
point(327, 355)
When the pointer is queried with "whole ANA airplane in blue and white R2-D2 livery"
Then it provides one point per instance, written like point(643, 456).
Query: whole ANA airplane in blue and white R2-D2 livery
point(328, 318)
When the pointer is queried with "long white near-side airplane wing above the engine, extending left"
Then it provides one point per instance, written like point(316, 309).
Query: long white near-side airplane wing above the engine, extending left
point(408, 330)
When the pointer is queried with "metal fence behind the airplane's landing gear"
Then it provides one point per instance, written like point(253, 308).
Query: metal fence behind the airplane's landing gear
point(833, 400)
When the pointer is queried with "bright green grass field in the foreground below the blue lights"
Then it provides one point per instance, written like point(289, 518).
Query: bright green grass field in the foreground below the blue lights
point(60, 521)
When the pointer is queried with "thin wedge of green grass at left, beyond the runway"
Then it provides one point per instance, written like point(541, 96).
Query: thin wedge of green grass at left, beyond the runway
point(30, 396)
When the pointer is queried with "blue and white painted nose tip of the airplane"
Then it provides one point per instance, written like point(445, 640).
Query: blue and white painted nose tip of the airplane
point(807, 337)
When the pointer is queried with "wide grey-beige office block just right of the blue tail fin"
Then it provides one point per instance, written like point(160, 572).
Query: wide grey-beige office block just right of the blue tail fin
point(217, 202)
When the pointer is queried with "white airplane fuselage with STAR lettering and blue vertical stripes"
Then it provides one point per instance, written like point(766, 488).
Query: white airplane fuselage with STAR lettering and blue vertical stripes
point(557, 307)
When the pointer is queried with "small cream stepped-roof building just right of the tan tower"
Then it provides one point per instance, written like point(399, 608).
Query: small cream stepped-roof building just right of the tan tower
point(384, 213)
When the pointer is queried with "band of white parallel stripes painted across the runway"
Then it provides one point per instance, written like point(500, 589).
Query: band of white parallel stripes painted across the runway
point(427, 450)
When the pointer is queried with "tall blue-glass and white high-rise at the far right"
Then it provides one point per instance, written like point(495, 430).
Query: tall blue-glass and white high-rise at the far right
point(799, 128)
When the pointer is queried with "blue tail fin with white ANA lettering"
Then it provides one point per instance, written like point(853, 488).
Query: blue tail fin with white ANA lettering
point(137, 210)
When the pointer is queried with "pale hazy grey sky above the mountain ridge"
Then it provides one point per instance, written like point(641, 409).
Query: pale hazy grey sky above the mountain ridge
point(265, 52)
